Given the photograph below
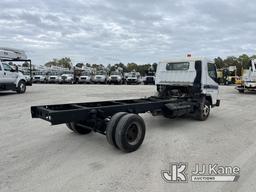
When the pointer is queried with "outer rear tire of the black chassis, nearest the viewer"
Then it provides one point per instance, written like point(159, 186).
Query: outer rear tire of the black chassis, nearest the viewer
point(130, 132)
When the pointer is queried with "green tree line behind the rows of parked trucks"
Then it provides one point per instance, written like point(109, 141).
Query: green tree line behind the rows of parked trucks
point(241, 62)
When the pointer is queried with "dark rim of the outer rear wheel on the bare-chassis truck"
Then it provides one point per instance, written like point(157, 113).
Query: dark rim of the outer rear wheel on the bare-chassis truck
point(133, 134)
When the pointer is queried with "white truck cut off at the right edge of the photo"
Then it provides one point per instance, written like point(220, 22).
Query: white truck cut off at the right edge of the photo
point(248, 79)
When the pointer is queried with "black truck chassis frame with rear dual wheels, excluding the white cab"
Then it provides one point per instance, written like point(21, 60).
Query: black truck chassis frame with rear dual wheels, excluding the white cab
point(104, 117)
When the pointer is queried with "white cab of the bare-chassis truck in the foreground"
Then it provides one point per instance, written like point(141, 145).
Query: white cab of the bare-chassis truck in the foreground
point(189, 77)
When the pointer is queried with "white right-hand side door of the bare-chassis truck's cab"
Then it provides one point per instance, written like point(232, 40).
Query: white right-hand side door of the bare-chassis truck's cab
point(211, 87)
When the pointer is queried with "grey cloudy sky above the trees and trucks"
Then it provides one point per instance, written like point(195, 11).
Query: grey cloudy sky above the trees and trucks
point(142, 31)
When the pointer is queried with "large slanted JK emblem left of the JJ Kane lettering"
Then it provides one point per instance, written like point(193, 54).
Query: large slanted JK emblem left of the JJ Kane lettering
point(176, 173)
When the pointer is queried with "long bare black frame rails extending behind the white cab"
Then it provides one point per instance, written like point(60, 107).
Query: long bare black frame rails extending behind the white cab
point(77, 112)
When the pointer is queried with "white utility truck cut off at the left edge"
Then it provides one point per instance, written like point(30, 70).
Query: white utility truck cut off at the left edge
point(10, 77)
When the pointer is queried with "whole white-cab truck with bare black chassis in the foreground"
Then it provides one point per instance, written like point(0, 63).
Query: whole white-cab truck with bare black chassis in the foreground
point(186, 86)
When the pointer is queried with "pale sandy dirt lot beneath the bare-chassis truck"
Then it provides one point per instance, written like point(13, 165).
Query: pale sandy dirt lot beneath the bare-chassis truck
point(35, 156)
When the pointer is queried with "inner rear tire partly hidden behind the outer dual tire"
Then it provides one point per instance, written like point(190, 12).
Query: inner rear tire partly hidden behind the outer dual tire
point(111, 128)
